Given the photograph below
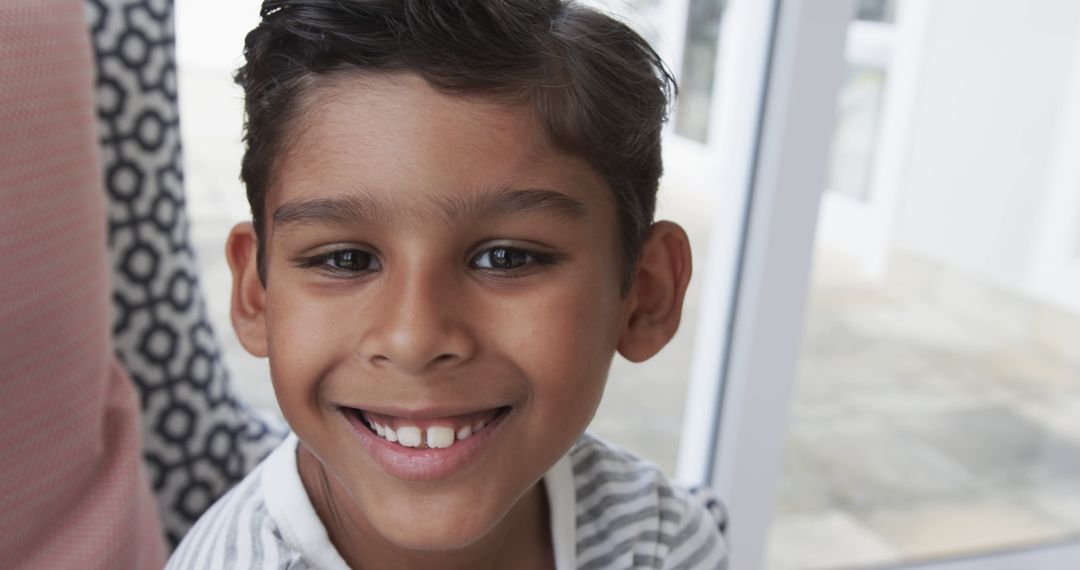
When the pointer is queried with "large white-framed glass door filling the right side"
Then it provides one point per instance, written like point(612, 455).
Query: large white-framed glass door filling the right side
point(923, 415)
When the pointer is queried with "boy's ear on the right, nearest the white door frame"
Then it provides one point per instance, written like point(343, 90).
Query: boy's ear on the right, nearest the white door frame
point(657, 293)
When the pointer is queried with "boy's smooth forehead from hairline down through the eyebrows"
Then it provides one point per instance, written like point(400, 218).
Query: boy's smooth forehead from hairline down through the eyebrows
point(387, 145)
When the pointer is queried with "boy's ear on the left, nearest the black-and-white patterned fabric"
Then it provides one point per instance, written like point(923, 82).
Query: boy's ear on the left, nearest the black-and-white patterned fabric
point(249, 295)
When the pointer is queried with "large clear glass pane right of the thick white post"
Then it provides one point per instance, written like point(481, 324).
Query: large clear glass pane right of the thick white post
point(936, 412)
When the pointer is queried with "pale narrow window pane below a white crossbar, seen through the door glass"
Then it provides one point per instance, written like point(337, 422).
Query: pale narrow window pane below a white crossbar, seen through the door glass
point(858, 114)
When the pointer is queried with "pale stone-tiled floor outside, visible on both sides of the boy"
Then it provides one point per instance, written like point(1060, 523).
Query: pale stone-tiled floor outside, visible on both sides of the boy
point(927, 419)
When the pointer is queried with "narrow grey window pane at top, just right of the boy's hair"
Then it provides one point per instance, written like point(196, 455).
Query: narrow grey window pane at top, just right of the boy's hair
point(699, 67)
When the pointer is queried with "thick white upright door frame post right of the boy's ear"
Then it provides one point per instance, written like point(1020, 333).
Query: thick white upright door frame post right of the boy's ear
point(784, 181)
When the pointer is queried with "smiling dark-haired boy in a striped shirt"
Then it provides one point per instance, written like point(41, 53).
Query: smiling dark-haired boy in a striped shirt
point(452, 237)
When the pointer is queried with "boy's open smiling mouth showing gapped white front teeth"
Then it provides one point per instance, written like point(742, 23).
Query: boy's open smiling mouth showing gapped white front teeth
point(436, 433)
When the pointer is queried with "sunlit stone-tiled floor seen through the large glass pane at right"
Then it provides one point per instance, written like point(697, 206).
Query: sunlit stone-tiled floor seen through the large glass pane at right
point(934, 417)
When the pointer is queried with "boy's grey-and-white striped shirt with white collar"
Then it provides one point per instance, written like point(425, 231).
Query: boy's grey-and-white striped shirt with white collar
point(609, 510)
